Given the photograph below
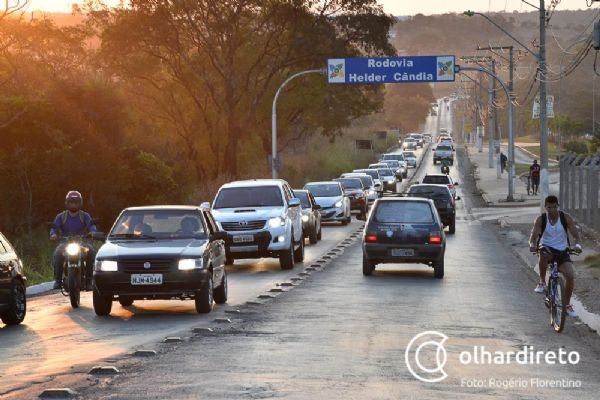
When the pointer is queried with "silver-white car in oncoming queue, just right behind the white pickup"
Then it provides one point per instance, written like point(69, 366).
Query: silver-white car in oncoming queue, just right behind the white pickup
point(335, 206)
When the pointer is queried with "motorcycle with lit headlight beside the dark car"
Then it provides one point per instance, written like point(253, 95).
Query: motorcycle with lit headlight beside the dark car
point(74, 254)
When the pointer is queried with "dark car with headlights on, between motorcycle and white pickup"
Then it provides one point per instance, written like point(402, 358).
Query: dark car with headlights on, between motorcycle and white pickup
point(161, 252)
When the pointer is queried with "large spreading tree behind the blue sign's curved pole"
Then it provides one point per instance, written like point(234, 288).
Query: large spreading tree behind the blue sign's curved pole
point(209, 69)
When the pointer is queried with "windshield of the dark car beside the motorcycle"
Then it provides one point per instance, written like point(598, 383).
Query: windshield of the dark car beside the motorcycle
point(158, 224)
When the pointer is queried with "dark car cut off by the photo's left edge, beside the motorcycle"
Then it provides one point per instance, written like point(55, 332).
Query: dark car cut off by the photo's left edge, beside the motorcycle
point(13, 302)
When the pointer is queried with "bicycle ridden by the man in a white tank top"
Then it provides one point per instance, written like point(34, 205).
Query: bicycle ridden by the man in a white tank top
point(555, 290)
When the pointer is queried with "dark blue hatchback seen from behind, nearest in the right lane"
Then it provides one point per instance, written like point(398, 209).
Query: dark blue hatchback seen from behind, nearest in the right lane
point(404, 230)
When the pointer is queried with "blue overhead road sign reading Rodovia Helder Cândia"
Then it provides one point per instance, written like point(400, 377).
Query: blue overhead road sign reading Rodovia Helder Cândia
point(371, 70)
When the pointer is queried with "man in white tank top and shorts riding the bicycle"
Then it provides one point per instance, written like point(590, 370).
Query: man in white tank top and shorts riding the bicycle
point(552, 230)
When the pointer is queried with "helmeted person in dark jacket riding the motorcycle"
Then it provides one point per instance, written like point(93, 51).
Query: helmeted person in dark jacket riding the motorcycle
point(72, 222)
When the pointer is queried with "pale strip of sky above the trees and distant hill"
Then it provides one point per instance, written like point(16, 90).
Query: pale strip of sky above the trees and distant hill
point(400, 7)
